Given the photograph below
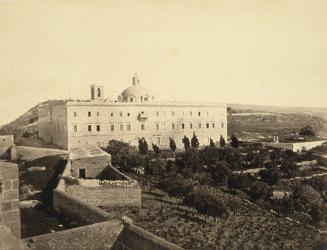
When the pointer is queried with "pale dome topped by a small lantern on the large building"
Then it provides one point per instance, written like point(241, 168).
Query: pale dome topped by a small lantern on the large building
point(135, 93)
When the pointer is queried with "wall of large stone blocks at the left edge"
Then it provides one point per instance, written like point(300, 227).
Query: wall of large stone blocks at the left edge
point(9, 190)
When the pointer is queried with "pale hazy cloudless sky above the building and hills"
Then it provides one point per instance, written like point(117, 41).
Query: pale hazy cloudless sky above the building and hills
point(253, 52)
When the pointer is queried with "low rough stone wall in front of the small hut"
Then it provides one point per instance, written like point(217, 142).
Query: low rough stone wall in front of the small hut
point(124, 195)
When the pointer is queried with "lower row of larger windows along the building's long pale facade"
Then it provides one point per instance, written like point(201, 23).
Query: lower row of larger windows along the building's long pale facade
point(158, 127)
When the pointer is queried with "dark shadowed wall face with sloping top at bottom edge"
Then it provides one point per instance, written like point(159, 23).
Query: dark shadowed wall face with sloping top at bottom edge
point(136, 238)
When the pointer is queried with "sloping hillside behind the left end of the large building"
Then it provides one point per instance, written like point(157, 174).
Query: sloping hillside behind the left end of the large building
point(24, 128)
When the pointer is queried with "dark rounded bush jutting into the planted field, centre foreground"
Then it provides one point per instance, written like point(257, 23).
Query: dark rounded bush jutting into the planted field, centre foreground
point(205, 203)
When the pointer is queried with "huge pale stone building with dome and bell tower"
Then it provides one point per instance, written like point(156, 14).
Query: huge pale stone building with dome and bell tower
point(135, 114)
